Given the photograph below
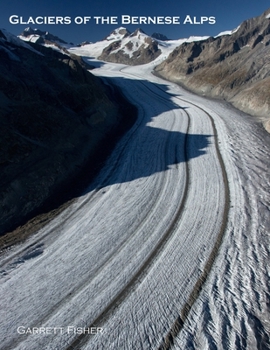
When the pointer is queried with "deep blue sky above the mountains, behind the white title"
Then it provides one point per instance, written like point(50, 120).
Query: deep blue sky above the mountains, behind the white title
point(228, 15)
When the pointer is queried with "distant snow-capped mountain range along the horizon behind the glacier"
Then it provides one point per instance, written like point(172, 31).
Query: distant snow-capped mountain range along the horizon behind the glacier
point(120, 46)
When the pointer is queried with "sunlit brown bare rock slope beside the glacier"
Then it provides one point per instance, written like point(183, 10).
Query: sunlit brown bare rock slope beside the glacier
point(235, 67)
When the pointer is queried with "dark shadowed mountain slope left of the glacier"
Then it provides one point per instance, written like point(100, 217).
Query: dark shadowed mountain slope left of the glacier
point(54, 116)
